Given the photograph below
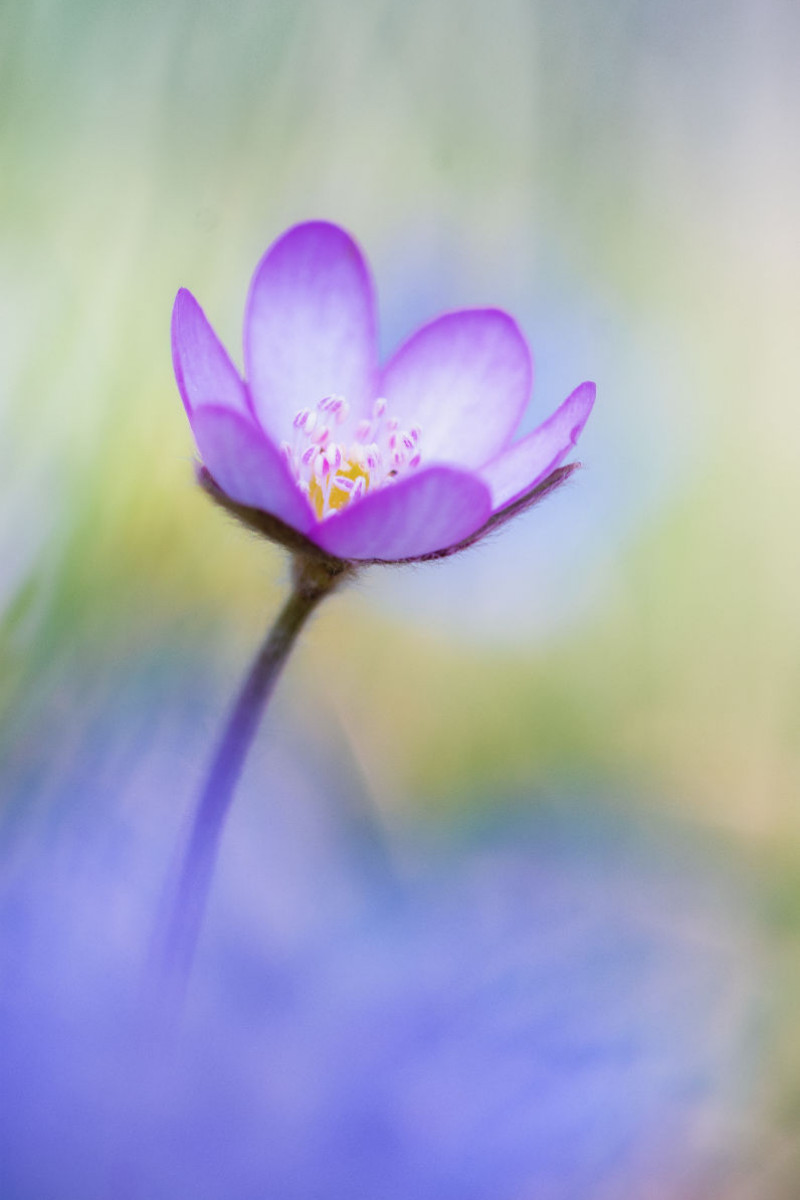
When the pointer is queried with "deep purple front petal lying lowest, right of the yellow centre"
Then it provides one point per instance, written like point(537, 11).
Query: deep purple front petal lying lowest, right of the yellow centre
point(430, 511)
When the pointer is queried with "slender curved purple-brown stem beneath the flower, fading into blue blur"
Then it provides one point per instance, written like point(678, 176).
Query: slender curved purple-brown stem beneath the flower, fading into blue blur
point(177, 944)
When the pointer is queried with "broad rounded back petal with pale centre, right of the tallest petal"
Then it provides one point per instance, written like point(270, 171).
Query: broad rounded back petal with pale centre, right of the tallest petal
point(465, 380)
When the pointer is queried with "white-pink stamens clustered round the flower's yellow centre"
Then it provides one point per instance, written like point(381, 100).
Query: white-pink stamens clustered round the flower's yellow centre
point(338, 466)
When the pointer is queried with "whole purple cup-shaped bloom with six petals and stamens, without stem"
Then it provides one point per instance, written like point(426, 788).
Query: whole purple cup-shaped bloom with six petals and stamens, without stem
point(322, 446)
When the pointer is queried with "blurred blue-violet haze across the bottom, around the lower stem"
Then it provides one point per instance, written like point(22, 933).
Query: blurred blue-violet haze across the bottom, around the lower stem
point(545, 1003)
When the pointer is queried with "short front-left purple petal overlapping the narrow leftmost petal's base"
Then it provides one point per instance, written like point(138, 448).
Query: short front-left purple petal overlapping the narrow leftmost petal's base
point(249, 467)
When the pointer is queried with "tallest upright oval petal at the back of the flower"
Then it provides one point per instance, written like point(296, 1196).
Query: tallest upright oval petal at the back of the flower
point(310, 327)
